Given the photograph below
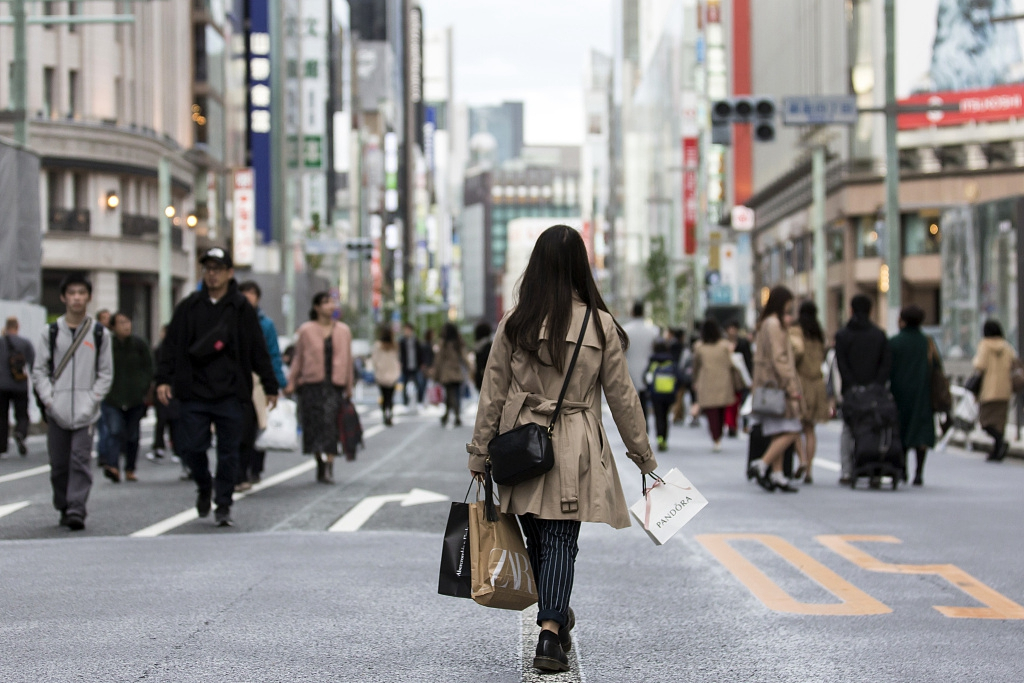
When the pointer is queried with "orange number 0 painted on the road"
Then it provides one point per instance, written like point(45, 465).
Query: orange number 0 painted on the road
point(855, 602)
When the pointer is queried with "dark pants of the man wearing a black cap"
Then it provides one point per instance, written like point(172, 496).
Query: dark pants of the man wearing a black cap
point(194, 431)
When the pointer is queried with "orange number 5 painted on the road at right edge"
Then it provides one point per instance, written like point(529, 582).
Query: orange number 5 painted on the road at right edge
point(997, 605)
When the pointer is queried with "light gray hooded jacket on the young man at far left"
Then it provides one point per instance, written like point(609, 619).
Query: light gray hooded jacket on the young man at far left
point(74, 402)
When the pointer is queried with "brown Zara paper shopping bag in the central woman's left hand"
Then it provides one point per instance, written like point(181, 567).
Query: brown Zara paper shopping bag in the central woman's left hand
point(500, 566)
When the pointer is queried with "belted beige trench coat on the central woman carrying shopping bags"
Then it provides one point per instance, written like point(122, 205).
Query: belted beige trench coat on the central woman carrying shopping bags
point(584, 485)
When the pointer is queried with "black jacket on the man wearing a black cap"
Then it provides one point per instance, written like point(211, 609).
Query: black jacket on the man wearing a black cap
point(246, 351)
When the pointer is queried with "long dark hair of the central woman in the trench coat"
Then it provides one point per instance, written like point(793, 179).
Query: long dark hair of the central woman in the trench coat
point(559, 268)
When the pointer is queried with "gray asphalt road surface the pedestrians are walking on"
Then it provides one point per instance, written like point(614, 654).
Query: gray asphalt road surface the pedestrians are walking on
point(789, 596)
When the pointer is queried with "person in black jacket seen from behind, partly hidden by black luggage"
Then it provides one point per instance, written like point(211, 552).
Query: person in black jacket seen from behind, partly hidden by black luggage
point(864, 360)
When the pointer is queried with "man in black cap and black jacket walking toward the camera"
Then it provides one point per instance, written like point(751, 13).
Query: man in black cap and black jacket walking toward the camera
point(215, 345)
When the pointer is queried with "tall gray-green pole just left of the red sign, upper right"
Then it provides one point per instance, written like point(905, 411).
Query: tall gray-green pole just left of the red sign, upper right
point(894, 250)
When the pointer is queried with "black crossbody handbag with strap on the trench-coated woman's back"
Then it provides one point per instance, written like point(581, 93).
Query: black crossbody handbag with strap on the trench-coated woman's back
point(526, 452)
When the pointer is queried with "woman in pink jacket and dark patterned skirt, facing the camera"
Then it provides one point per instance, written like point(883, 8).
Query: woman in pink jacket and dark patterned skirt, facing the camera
point(323, 373)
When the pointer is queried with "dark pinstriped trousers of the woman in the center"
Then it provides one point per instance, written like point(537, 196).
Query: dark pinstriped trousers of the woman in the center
point(552, 547)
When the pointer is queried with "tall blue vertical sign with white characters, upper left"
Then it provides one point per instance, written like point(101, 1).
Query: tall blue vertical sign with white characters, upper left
point(260, 117)
